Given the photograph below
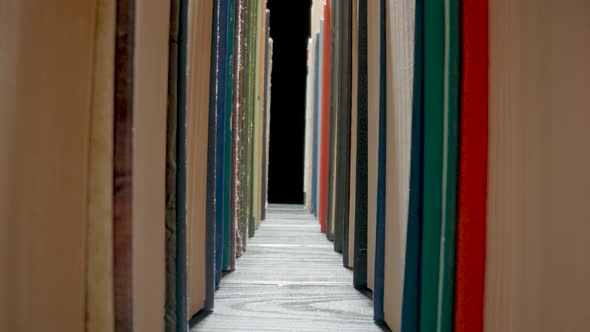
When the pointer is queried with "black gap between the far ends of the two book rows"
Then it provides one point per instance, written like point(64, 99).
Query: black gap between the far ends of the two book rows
point(289, 29)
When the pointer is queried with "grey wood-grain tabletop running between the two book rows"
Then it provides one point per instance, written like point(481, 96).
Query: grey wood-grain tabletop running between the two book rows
point(289, 279)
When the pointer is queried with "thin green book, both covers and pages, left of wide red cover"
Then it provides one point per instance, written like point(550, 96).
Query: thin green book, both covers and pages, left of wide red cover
point(441, 116)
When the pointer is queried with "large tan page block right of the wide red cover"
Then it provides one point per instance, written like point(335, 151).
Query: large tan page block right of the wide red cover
point(537, 259)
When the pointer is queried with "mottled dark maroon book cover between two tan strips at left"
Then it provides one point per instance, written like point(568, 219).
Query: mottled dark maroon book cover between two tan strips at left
point(122, 165)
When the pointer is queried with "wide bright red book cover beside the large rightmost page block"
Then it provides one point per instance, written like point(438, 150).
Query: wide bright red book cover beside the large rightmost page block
point(473, 168)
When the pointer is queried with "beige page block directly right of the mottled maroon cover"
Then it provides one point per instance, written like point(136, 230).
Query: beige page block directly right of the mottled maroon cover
point(149, 163)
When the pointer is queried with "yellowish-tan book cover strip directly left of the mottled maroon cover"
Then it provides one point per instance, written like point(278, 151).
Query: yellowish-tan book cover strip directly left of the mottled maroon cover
point(99, 249)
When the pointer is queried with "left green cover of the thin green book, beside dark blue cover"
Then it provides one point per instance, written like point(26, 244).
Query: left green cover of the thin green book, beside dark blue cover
point(434, 60)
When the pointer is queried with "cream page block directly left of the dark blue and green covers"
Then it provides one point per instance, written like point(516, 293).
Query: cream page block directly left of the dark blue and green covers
point(400, 69)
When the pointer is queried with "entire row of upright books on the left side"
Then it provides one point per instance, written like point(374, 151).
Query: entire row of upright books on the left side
point(133, 158)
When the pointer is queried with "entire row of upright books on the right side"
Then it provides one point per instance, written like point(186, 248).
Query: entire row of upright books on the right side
point(447, 158)
